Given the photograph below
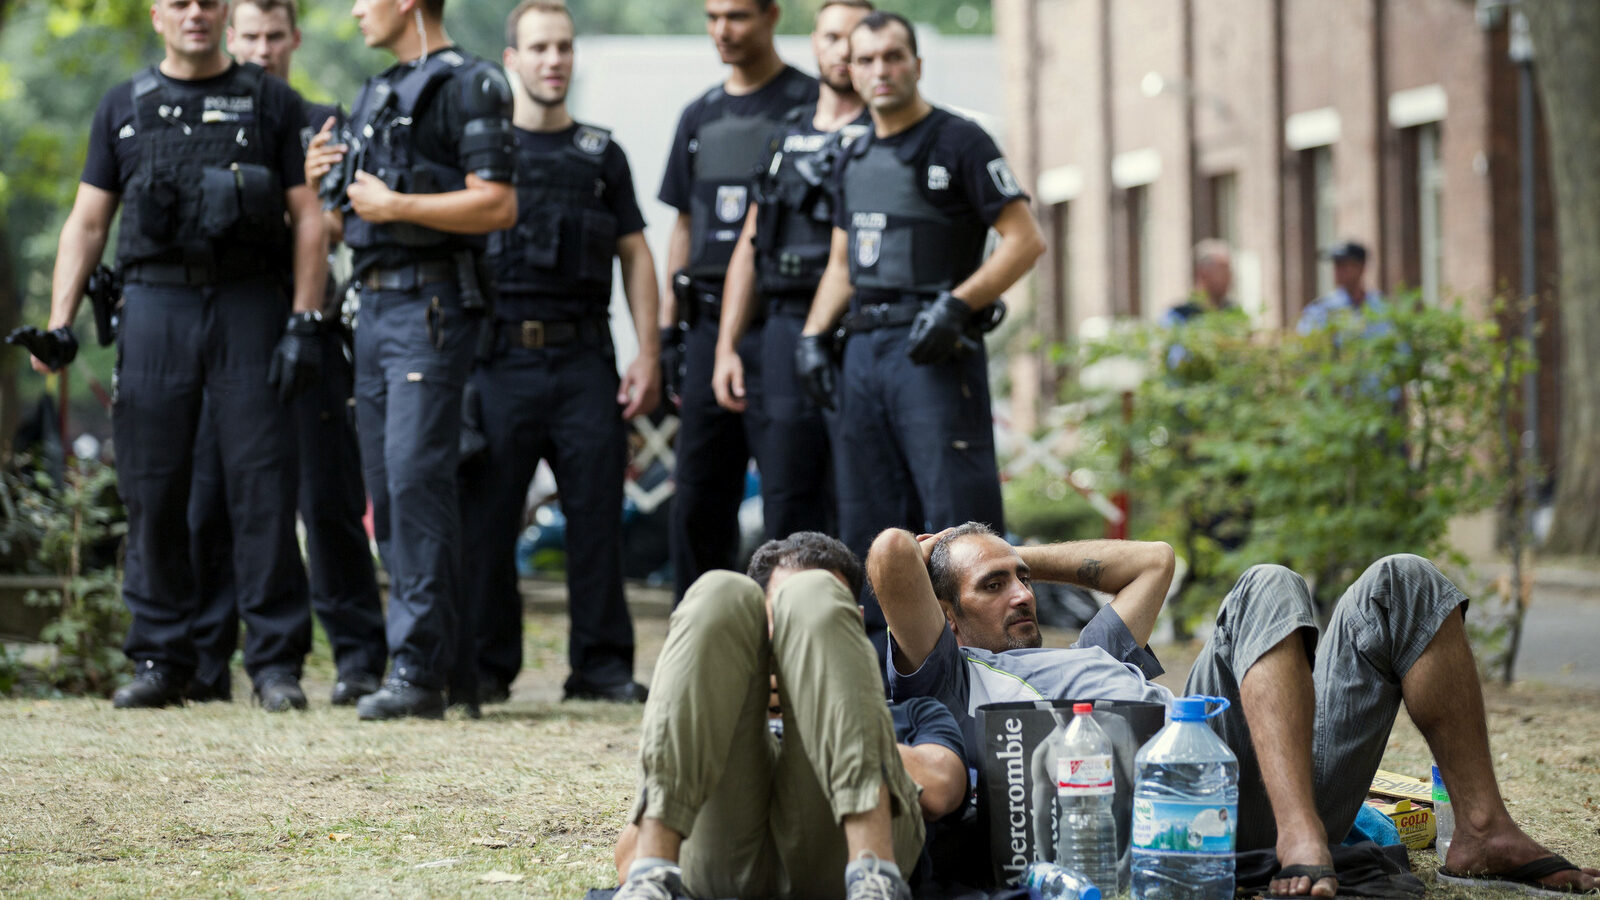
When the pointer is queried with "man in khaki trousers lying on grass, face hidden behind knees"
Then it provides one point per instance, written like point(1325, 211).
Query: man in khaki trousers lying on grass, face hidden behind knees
point(828, 803)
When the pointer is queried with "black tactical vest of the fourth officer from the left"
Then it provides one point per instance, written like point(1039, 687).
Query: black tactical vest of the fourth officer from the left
point(566, 235)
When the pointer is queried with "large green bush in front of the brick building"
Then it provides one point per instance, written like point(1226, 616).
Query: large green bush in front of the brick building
point(1319, 452)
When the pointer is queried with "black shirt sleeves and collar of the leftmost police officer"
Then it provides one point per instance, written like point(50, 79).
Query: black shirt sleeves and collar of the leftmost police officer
point(114, 143)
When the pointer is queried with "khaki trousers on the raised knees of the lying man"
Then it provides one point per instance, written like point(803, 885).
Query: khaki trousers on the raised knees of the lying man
point(762, 818)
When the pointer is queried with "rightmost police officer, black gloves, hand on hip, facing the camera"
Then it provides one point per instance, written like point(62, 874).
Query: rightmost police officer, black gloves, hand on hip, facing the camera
point(916, 203)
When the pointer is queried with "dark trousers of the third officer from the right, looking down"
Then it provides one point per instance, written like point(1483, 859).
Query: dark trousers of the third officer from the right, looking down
point(713, 451)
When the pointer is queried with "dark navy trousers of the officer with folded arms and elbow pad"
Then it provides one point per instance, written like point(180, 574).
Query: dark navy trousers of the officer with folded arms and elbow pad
point(414, 352)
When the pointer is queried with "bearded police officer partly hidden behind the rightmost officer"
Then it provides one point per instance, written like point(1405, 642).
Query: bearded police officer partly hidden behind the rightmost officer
point(782, 257)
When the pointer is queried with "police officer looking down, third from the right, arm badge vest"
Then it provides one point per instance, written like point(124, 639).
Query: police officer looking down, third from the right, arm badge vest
point(716, 151)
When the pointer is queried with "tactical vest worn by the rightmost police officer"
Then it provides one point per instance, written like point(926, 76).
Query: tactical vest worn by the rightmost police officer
point(900, 243)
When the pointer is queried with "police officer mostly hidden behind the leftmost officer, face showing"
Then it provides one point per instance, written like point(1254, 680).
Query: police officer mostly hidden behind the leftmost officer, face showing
point(332, 497)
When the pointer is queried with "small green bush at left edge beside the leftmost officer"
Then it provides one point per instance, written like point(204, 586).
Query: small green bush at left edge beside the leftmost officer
point(70, 531)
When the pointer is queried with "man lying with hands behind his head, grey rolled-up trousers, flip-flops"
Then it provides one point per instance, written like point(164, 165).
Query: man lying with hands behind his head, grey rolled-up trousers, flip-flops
point(1310, 713)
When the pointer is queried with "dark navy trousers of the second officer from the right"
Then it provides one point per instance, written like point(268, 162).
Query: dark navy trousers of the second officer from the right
point(798, 470)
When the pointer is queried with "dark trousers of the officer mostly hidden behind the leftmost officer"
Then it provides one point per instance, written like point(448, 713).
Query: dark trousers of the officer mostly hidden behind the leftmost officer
point(332, 505)
